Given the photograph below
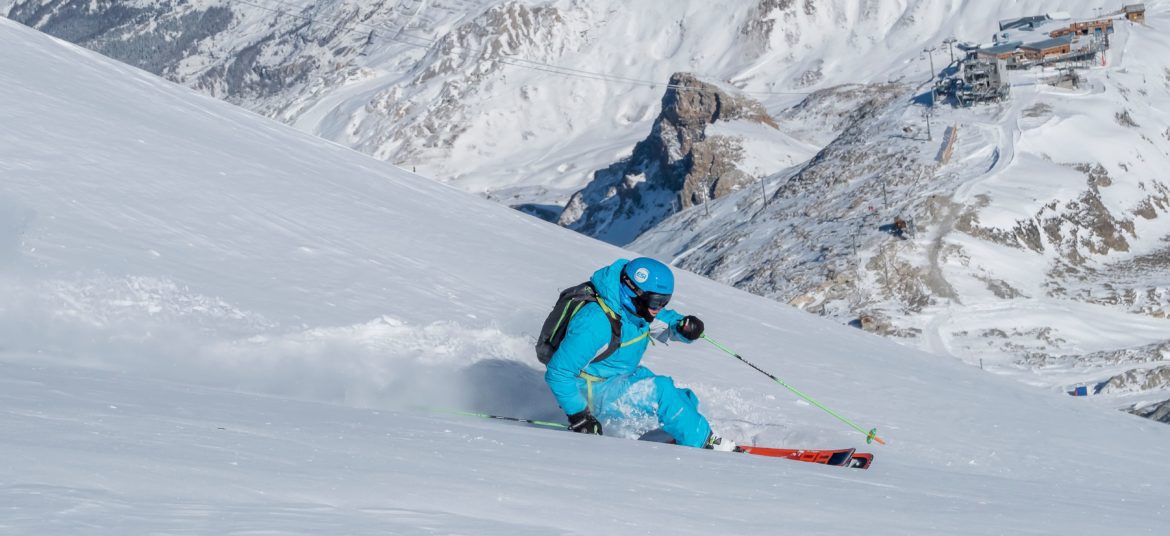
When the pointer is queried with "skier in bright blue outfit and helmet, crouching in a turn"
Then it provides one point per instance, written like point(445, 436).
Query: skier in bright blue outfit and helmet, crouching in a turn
point(617, 388)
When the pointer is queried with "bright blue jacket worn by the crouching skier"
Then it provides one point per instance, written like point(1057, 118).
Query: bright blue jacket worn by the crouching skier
point(589, 334)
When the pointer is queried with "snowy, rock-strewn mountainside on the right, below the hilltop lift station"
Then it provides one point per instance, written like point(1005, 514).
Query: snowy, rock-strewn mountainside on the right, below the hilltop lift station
point(1035, 249)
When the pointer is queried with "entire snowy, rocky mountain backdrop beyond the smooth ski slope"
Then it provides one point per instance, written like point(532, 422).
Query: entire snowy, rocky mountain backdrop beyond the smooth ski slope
point(1051, 205)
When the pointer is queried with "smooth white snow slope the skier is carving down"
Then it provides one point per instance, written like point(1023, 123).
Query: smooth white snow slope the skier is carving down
point(212, 324)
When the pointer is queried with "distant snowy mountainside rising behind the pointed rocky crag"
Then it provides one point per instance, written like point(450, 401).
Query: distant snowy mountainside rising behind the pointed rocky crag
point(520, 99)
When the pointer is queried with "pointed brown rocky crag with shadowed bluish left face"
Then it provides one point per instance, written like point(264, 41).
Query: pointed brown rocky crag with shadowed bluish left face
point(678, 167)
